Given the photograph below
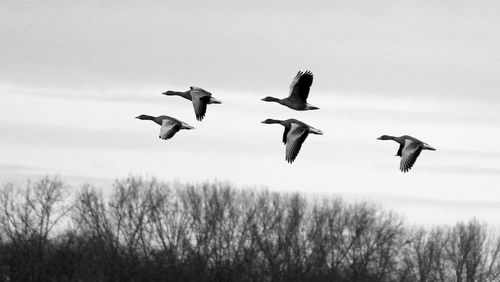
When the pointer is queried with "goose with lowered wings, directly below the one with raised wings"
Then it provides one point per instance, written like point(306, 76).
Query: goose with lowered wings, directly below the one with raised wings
point(294, 135)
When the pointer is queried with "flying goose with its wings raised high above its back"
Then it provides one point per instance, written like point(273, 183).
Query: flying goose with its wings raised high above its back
point(299, 91)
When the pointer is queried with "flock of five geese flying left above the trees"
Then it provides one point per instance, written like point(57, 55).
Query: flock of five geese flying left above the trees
point(295, 132)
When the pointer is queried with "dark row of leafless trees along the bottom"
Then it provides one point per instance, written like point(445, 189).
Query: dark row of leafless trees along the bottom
point(146, 230)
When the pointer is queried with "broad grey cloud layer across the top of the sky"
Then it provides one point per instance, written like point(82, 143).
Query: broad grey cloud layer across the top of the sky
point(383, 49)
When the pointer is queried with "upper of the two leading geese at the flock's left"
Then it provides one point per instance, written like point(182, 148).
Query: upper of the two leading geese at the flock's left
point(199, 97)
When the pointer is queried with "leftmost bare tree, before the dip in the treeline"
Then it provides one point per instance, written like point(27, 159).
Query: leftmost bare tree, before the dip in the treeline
point(28, 218)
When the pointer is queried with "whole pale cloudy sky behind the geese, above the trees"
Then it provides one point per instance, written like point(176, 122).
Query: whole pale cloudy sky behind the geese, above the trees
point(75, 74)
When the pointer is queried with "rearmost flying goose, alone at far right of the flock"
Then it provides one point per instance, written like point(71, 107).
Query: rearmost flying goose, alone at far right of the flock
point(409, 150)
